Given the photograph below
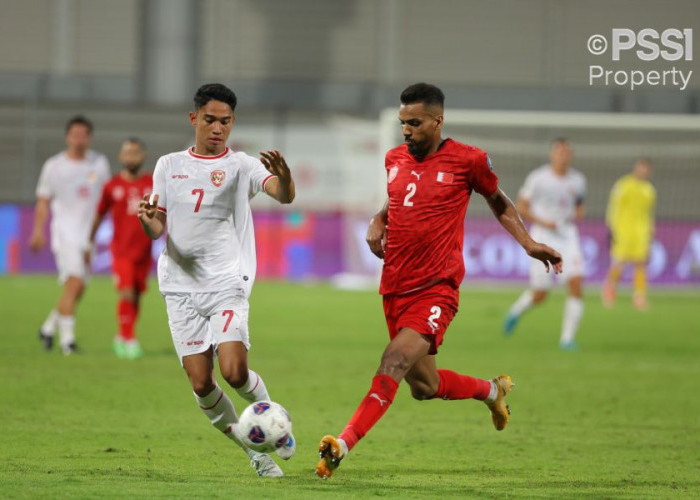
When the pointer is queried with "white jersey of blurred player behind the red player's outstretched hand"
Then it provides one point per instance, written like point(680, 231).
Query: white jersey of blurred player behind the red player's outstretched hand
point(554, 198)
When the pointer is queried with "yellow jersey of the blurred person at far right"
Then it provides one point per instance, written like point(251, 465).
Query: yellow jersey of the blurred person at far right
point(631, 206)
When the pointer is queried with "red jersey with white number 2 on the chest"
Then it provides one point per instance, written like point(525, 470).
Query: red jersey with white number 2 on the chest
point(428, 201)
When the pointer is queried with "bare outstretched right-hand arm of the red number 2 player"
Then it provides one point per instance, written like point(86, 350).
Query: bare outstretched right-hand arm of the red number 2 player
point(507, 215)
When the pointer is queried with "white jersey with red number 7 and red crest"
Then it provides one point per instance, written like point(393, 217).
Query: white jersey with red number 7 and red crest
point(211, 243)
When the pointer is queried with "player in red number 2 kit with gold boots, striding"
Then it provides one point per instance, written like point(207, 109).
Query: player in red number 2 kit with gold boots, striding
point(419, 233)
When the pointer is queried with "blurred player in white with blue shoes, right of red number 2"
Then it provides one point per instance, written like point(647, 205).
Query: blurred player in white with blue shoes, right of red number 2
point(552, 199)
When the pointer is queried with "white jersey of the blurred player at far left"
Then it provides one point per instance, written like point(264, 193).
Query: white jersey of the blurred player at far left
point(74, 188)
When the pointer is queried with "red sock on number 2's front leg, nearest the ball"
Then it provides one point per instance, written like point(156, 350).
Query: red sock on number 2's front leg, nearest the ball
point(371, 409)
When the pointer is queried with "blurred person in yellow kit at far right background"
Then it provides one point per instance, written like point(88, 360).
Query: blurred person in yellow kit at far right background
point(630, 219)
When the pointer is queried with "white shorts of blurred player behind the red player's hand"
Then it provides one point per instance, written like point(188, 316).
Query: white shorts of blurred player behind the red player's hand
point(572, 257)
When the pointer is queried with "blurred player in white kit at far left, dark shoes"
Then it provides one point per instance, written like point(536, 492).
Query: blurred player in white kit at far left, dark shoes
point(70, 184)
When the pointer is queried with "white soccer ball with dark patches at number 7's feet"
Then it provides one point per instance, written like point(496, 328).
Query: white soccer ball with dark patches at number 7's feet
point(264, 426)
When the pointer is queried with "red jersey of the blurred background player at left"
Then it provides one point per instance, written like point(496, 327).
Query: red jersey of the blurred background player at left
point(122, 198)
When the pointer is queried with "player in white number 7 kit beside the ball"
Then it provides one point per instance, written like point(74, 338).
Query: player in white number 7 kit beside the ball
point(207, 269)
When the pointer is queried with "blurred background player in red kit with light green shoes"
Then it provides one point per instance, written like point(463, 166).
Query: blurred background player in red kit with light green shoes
point(131, 248)
